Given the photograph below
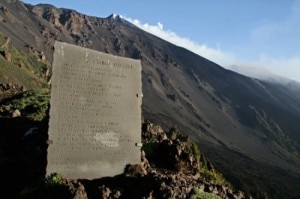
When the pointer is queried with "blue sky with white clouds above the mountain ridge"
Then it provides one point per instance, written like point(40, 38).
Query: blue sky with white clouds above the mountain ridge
point(260, 35)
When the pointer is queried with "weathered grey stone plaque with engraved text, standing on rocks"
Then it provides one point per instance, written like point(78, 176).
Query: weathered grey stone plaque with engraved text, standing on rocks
point(95, 113)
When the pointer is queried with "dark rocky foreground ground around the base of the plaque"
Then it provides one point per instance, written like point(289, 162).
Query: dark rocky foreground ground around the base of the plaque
point(170, 168)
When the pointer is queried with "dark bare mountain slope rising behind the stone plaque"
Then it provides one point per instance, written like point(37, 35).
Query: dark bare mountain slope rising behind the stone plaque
point(249, 128)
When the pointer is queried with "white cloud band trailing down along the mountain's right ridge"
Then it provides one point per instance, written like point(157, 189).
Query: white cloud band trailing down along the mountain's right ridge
point(287, 67)
